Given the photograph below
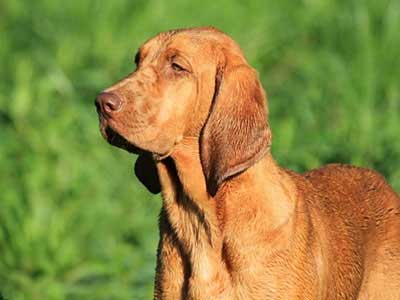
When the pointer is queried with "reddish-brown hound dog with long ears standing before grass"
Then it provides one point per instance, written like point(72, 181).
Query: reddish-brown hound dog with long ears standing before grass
point(235, 225)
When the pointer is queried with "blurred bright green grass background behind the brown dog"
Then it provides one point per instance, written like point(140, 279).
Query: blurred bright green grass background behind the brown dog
point(74, 222)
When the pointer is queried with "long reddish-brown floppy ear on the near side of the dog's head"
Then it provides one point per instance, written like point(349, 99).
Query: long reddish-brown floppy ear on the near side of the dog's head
point(236, 134)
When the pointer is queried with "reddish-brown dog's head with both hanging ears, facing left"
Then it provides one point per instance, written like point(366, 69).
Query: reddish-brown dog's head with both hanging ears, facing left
point(191, 83)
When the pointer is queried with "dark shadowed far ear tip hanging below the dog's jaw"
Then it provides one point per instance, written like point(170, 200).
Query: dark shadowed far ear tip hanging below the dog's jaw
point(146, 172)
